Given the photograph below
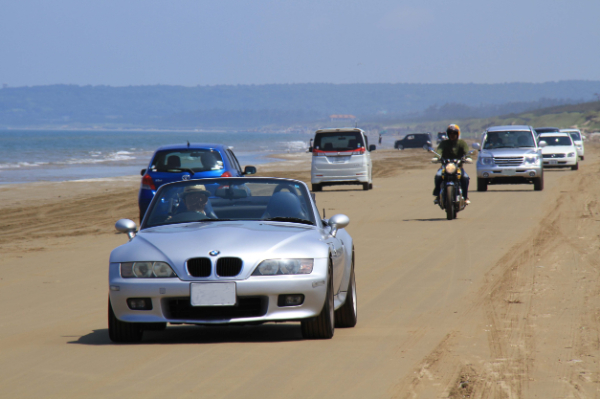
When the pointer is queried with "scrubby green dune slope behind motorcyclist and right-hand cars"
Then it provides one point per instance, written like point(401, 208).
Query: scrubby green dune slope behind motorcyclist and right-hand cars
point(584, 116)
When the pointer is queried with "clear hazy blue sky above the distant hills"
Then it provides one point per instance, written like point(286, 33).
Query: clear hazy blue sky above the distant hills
point(197, 42)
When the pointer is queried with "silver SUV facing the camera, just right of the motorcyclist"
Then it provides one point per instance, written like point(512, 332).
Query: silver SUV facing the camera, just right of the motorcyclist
point(510, 155)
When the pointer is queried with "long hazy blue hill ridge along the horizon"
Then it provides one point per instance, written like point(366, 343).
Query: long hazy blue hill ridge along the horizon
point(253, 106)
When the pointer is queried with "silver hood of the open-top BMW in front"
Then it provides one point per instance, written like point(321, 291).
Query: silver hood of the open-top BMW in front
point(252, 241)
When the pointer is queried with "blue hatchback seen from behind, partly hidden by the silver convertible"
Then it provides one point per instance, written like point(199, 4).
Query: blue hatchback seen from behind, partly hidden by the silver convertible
point(178, 162)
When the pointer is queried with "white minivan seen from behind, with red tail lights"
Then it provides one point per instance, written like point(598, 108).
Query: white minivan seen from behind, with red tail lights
point(341, 156)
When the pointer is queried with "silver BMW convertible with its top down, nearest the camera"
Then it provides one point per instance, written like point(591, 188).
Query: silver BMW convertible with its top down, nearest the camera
point(232, 250)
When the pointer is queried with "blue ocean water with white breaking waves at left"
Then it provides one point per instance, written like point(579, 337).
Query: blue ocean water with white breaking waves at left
point(54, 155)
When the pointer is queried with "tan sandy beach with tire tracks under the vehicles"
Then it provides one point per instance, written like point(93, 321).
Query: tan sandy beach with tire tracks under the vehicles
point(500, 303)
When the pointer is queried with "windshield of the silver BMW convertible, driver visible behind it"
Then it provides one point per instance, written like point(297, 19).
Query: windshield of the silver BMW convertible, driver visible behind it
point(209, 200)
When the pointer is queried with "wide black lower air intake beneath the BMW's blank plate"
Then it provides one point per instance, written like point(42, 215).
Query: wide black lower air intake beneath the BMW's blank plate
point(181, 309)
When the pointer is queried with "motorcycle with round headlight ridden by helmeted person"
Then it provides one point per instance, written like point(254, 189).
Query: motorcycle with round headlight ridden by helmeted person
point(450, 197)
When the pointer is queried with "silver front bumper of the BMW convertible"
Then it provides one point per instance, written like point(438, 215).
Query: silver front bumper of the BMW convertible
point(257, 298)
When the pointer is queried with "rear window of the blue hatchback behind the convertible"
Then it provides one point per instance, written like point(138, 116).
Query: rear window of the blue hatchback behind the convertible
point(202, 160)
